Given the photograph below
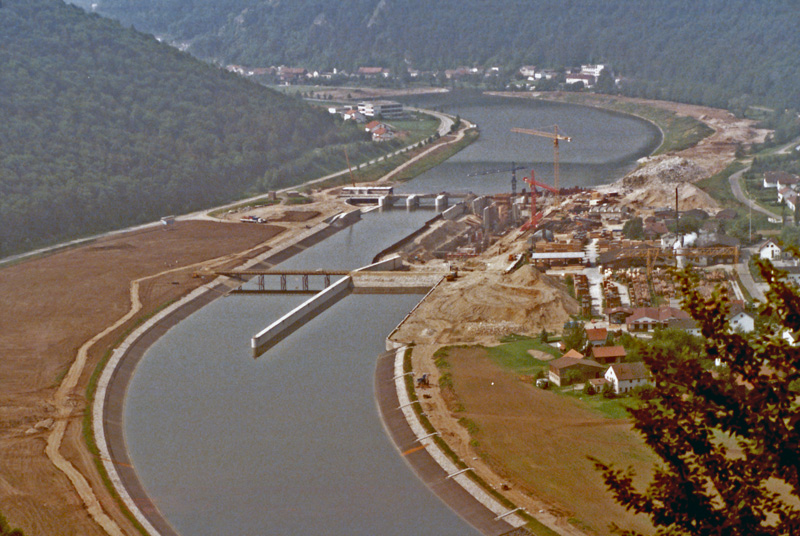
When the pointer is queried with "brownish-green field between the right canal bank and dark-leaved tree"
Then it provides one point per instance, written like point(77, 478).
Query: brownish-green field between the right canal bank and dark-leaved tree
point(539, 440)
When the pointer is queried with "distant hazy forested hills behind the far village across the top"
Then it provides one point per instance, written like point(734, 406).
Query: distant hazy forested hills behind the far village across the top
point(717, 52)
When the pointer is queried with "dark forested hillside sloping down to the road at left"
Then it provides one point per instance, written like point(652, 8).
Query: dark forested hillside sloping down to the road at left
point(103, 127)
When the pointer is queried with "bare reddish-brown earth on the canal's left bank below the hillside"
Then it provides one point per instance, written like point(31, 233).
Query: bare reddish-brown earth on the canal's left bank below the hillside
point(52, 305)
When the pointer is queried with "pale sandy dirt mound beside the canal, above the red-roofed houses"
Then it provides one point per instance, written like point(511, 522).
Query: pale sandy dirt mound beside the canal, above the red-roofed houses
point(480, 306)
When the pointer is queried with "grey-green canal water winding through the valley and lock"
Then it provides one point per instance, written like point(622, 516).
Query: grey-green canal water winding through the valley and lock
point(291, 442)
